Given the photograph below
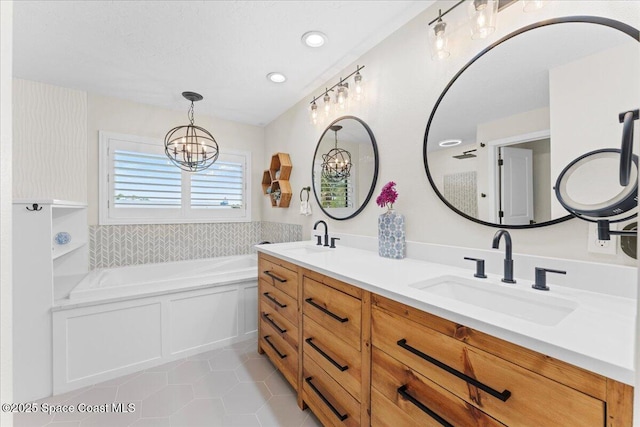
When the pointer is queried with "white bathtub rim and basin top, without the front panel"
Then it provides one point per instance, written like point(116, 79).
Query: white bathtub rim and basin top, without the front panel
point(138, 280)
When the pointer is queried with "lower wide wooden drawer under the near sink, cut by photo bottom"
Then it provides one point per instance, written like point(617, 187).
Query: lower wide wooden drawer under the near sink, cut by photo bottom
point(426, 401)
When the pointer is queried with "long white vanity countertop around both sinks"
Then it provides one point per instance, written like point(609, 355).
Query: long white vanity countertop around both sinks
point(598, 335)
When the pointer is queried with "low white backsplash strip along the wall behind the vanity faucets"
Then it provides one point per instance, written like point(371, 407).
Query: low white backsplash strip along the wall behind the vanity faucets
point(609, 279)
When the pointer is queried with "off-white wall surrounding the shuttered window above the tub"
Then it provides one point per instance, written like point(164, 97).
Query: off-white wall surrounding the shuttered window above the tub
point(120, 116)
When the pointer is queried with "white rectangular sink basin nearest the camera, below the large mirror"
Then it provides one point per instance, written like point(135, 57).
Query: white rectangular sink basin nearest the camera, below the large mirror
point(543, 309)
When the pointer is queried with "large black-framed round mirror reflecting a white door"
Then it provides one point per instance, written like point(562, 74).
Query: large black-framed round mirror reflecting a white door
point(510, 121)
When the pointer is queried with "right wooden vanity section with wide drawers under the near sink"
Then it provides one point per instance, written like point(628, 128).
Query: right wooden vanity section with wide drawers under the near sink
point(427, 367)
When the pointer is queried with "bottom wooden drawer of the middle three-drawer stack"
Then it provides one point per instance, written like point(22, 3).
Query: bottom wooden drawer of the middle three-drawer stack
point(326, 397)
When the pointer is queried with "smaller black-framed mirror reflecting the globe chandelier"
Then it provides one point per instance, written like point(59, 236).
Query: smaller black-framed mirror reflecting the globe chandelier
point(345, 168)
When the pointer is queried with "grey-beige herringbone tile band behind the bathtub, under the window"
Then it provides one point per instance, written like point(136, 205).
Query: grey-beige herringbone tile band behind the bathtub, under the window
point(119, 245)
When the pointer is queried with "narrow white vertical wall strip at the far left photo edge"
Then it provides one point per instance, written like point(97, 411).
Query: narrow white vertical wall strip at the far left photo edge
point(6, 282)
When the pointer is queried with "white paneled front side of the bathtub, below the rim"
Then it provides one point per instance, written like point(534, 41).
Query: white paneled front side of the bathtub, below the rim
point(98, 341)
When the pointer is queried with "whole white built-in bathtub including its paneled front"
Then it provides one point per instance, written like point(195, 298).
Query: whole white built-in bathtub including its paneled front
point(121, 320)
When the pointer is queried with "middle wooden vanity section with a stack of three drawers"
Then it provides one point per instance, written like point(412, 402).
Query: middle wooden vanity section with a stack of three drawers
point(336, 350)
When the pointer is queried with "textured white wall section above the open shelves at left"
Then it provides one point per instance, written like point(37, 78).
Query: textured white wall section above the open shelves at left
point(50, 135)
